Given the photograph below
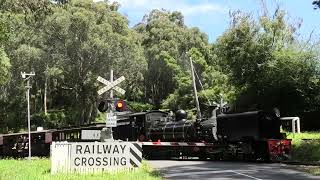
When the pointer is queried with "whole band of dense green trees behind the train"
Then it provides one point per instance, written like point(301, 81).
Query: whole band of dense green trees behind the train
point(254, 64)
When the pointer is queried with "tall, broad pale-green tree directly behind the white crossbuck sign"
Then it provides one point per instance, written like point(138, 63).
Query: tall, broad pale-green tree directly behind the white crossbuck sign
point(87, 39)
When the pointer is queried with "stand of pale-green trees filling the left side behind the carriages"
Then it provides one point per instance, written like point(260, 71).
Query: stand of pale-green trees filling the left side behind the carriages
point(67, 45)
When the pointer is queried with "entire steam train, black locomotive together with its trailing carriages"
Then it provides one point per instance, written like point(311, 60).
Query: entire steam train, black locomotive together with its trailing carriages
point(251, 135)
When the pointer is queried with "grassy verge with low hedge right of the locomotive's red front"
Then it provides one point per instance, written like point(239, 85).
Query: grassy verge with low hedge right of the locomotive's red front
point(306, 151)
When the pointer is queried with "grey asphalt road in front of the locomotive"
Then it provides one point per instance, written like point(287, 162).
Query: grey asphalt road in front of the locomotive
point(194, 169)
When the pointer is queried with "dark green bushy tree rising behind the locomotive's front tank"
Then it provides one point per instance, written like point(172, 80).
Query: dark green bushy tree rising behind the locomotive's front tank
point(268, 65)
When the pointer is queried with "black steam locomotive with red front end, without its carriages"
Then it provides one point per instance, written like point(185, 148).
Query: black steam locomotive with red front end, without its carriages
point(250, 135)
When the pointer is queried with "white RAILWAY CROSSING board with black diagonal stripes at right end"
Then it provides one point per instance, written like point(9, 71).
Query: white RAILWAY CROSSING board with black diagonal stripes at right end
point(94, 156)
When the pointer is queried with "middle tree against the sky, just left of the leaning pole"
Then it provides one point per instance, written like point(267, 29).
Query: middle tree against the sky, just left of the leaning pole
point(166, 40)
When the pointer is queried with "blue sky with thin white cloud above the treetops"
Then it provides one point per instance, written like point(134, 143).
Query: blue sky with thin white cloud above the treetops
point(212, 16)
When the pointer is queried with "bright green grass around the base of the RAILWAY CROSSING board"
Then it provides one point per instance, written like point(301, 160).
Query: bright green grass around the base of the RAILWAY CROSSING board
point(39, 169)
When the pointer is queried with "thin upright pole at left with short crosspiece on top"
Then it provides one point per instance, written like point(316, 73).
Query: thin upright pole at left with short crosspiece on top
point(27, 77)
